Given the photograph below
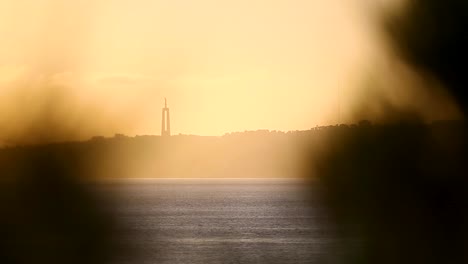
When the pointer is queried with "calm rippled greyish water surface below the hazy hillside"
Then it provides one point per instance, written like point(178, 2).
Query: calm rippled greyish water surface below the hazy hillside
point(223, 221)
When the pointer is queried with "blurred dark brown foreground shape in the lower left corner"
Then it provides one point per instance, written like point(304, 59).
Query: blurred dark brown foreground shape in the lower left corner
point(47, 214)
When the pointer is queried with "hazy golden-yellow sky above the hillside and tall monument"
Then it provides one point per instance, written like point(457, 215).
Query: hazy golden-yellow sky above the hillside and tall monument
point(105, 66)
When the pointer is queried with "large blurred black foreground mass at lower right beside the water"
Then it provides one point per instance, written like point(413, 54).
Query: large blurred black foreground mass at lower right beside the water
point(398, 193)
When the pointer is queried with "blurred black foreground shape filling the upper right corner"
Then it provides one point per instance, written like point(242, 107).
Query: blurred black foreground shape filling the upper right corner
point(431, 36)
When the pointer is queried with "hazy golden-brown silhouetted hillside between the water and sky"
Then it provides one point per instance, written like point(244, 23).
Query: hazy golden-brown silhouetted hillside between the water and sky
point(237, 155)
